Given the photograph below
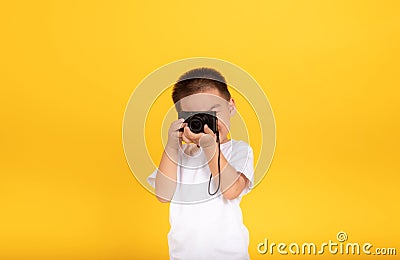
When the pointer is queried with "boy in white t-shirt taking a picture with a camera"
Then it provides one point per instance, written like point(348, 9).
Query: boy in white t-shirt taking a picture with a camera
point(203, 225)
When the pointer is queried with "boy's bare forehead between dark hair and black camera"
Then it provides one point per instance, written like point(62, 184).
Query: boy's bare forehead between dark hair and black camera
point(203, 101)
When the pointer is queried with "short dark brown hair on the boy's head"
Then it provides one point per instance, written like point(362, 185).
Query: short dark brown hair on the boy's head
point(197, 80)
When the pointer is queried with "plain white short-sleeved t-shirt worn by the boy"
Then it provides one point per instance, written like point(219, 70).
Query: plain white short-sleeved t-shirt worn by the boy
point(205, 226)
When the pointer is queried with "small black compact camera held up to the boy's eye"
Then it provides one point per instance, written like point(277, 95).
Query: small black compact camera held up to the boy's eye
point(197, 119)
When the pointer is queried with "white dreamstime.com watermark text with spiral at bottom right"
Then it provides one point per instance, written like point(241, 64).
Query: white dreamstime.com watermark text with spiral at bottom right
point(332, 247)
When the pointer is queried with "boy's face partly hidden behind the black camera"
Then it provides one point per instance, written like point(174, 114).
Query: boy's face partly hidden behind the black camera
point(211, 100)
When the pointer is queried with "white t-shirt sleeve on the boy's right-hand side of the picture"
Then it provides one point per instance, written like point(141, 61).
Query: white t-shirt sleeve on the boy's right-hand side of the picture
point(242, 160)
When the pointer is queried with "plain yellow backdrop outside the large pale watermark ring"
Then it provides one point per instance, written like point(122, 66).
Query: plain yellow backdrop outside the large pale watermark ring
point(329, 68)
